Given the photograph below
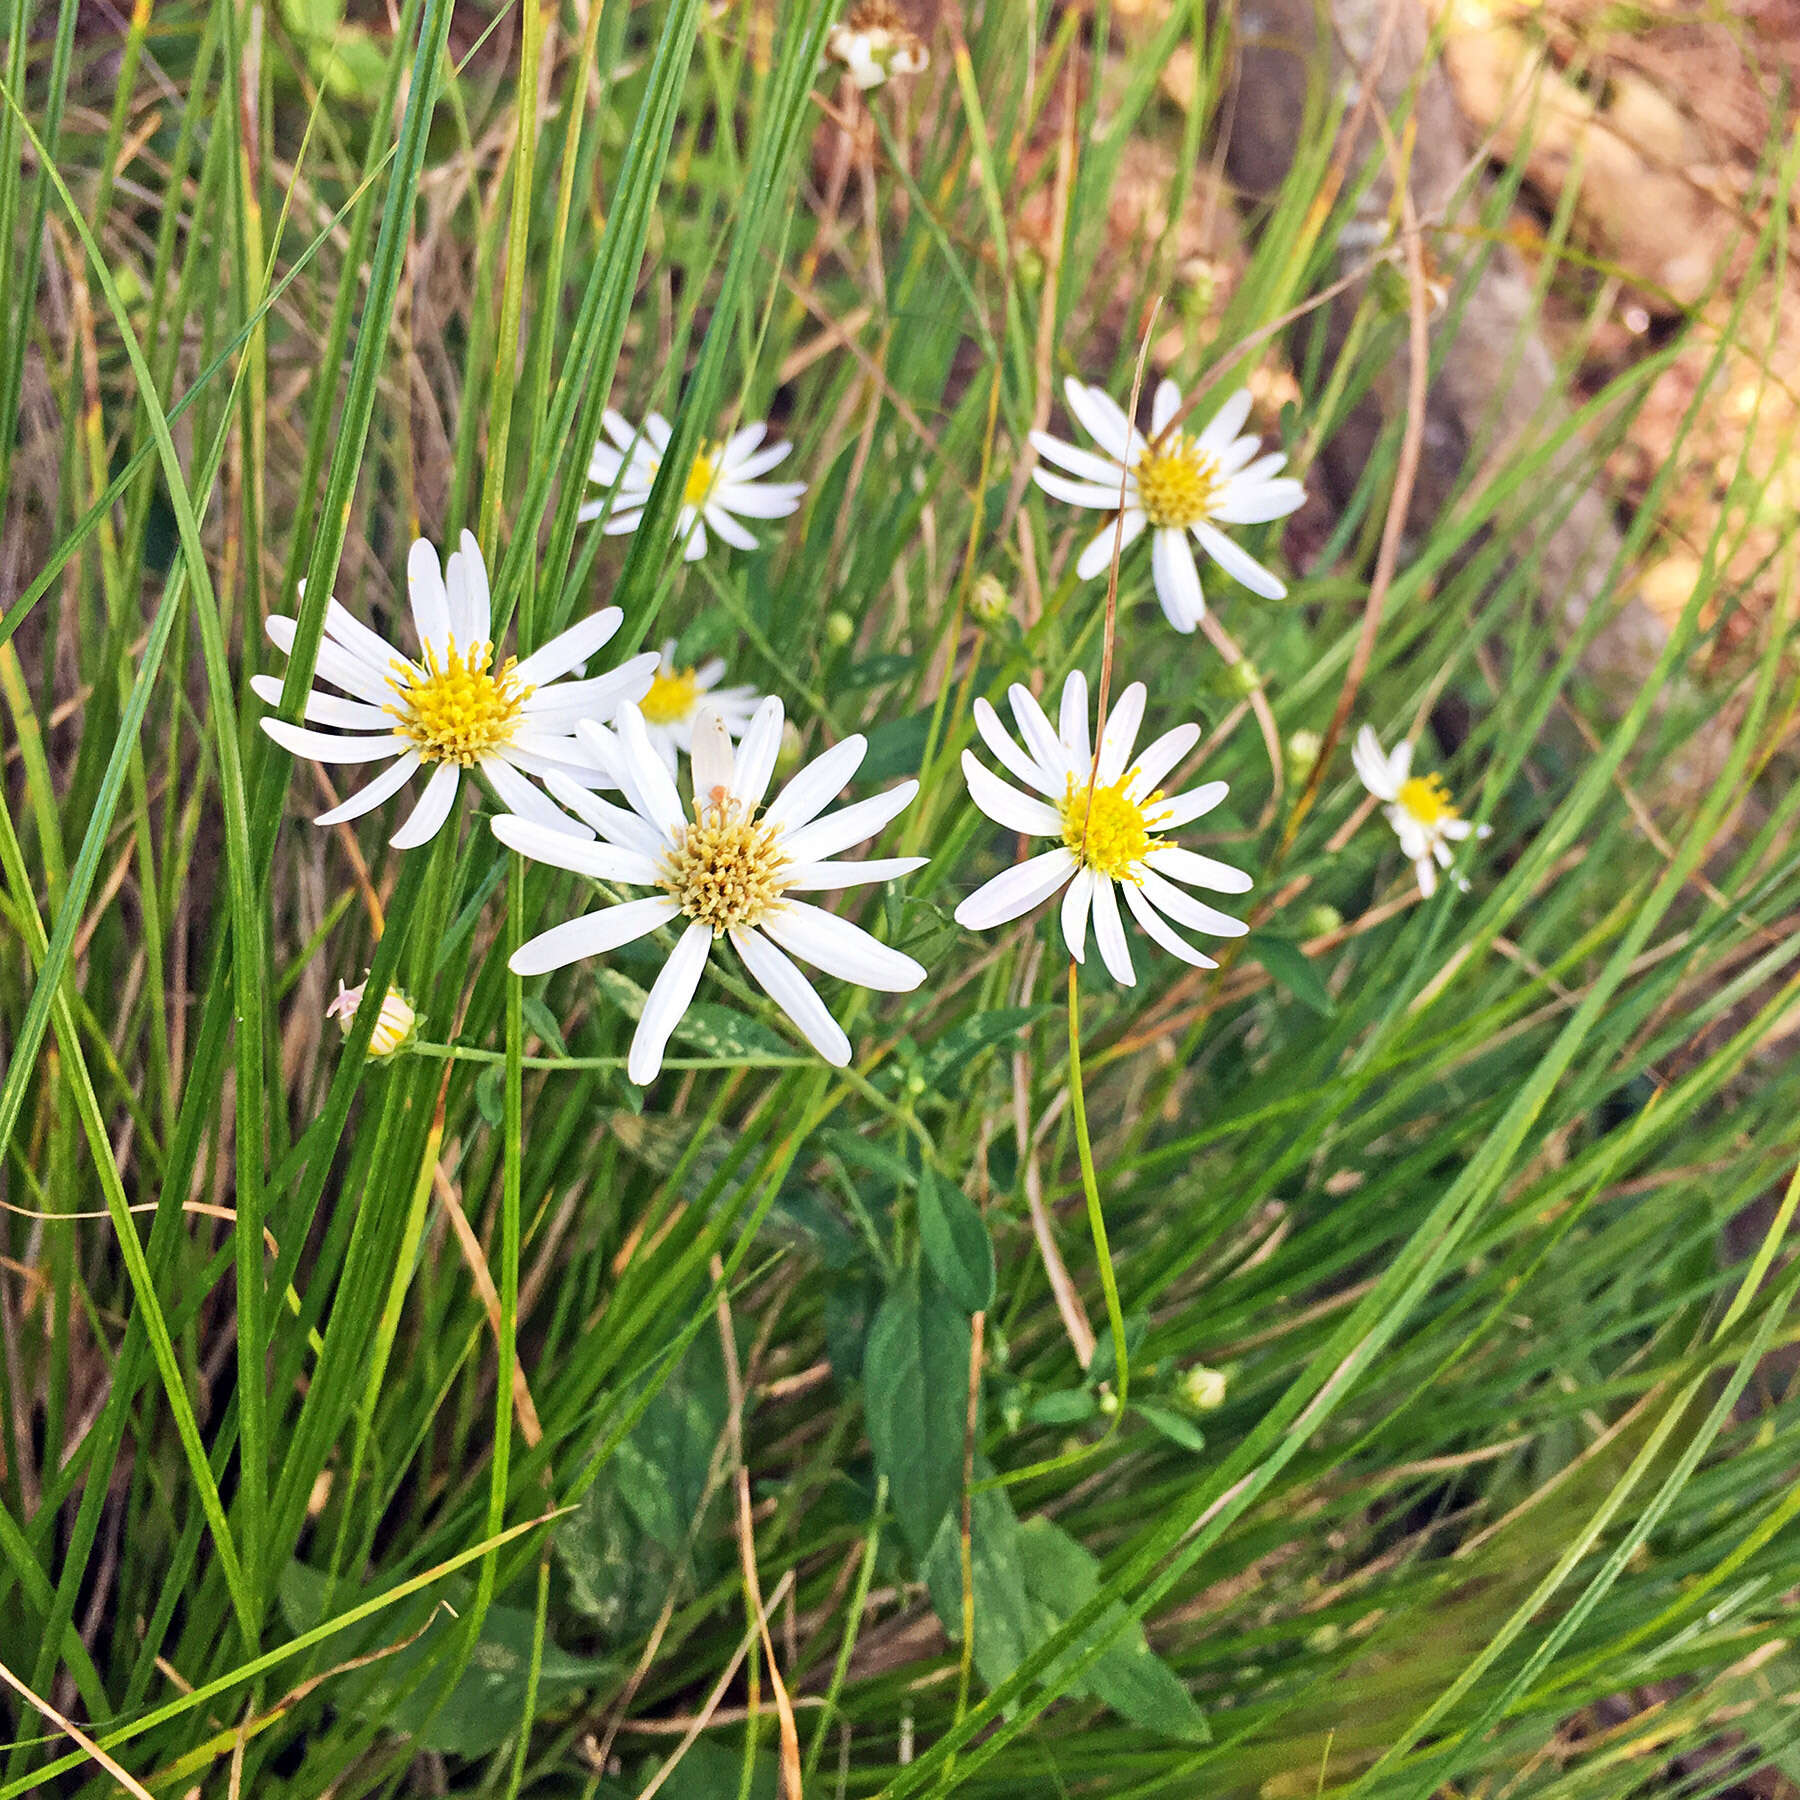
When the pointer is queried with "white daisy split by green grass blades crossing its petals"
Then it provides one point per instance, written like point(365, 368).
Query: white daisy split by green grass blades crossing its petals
point(723, 487)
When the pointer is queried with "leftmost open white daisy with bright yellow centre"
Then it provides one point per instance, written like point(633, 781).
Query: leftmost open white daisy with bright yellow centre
point(454, 710)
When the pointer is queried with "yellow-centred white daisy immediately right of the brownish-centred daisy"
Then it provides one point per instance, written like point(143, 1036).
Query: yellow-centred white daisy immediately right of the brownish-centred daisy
point(1110, 843)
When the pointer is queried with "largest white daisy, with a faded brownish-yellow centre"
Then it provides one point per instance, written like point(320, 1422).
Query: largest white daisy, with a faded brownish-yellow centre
point(726, 868)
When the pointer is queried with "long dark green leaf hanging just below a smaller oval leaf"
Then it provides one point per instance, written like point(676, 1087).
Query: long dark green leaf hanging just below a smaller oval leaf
point(915, 1378)
